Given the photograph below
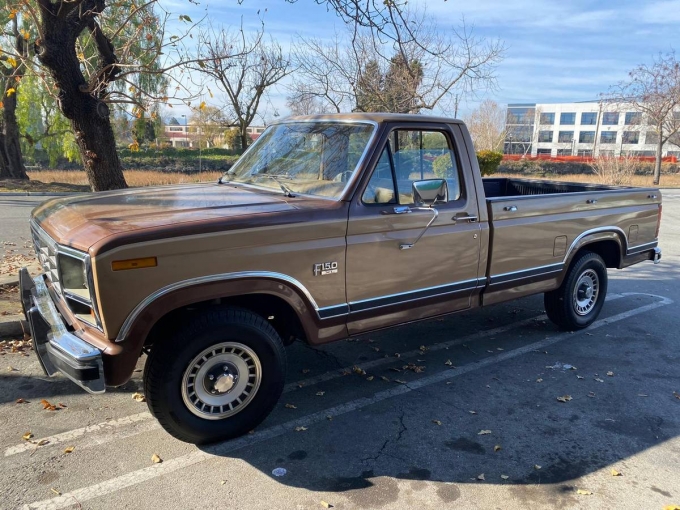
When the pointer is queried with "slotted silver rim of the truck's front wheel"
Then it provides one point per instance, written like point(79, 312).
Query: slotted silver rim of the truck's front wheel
point(221, 381)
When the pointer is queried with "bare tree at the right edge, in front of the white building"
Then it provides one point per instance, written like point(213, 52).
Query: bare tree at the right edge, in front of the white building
point(654, 90)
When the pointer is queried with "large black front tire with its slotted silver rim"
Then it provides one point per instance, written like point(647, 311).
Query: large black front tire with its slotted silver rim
point(177, 362)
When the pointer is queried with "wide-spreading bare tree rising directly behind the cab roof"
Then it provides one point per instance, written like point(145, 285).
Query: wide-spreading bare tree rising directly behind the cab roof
point(408, 64)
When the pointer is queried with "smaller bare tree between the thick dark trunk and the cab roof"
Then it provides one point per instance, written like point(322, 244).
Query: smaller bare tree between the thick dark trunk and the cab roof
point(253, 67)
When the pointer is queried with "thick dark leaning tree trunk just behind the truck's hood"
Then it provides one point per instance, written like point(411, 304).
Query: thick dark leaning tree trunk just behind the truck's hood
point(89, 114)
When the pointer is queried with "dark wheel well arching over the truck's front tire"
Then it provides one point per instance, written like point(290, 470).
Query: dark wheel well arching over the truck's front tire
point(272, 308)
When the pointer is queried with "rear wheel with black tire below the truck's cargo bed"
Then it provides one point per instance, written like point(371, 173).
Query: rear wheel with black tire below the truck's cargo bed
point(570, 306)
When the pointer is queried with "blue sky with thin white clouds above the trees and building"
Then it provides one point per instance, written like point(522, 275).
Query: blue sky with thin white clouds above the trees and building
point(556, 51)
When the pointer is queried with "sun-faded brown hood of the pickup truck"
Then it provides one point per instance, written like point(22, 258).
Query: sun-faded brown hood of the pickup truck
point(83, 221)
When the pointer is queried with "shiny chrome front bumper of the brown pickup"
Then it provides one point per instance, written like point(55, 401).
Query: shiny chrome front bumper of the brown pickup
point(58, 350)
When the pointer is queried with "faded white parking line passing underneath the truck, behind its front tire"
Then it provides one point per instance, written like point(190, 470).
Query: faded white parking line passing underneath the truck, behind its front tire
point(111, 434)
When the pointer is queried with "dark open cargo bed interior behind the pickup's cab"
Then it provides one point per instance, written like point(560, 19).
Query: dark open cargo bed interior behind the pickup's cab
point(500, 187)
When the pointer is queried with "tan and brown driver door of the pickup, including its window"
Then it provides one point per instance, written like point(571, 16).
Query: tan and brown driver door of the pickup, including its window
point(387, 283)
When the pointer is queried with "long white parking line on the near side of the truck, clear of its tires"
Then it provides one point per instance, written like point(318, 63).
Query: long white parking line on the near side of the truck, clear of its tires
point(142, 475)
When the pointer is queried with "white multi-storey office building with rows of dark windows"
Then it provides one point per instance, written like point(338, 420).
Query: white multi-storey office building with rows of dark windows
point(589, 128)
